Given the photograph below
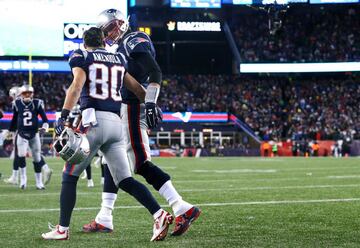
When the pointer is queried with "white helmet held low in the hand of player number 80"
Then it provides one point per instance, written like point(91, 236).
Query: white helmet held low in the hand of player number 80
point(73, 147)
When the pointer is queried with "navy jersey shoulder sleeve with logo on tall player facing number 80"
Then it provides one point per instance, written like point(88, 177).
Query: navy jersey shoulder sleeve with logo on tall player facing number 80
point(139, 43)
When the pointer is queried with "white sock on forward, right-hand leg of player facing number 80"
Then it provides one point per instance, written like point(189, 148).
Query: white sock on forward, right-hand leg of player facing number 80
point(170, 194)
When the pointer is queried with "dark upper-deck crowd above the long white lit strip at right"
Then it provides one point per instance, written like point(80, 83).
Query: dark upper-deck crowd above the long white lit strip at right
point(312, 35)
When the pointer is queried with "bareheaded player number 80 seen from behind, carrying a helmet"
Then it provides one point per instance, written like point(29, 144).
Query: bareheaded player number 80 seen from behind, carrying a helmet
point(98, 77)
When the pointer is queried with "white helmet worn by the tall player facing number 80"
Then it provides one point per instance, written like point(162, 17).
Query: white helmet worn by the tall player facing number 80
point(114, 25)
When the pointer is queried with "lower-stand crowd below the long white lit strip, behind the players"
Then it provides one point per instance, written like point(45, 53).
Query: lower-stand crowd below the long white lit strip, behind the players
point(274, 107)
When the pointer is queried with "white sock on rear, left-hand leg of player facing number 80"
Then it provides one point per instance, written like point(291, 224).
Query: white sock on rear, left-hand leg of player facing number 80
point(104, 217)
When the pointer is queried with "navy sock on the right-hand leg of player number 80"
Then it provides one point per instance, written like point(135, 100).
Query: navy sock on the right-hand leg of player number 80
point(140, 193)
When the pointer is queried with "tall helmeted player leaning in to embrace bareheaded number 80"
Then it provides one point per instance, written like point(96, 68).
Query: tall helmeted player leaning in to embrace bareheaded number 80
point(138, 118)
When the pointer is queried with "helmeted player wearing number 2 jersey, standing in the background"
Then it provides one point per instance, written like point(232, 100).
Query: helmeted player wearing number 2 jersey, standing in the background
point(25, 121)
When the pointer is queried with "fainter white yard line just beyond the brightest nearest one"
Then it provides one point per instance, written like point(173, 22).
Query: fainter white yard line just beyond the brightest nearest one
point(21, 194)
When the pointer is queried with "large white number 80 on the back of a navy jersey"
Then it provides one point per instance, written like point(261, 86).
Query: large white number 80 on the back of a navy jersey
point(105, 82)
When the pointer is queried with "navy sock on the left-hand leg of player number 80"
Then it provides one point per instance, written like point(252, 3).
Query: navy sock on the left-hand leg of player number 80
point(67, 199)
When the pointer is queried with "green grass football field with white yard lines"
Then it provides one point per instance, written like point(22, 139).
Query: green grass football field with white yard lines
point(245, 202)
